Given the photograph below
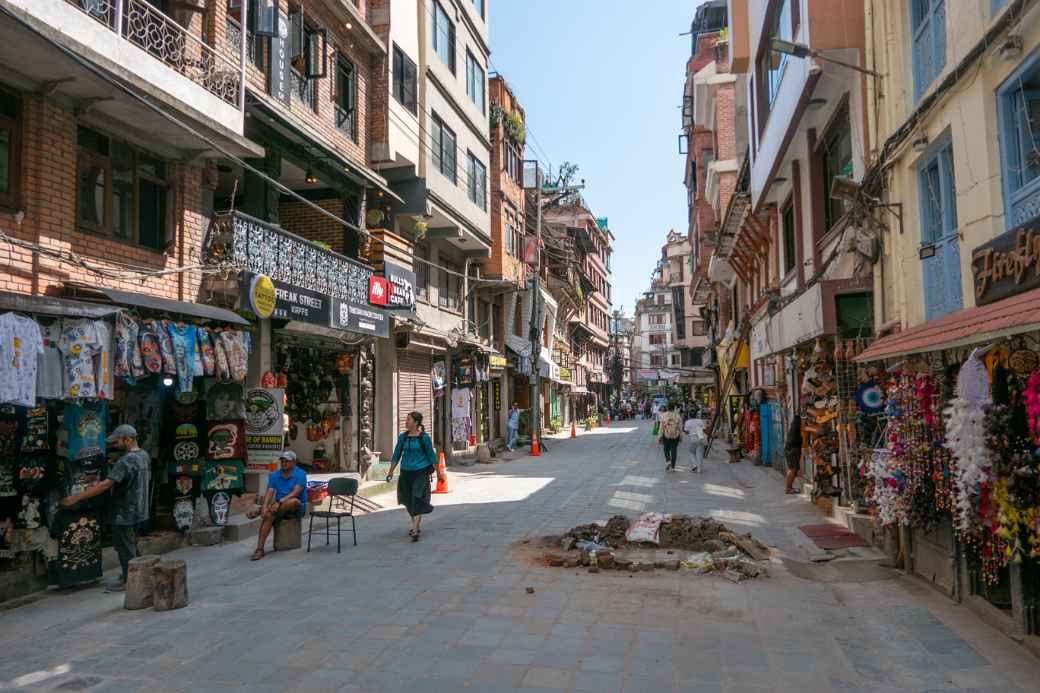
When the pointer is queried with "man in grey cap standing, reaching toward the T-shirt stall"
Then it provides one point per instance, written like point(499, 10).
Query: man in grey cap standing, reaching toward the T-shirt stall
point(129, 479)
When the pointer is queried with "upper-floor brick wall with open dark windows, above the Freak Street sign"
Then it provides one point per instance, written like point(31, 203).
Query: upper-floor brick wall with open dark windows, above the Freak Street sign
point(321, 125)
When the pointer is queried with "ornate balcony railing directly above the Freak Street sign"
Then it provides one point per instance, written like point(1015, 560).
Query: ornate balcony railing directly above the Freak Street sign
point(236, 241)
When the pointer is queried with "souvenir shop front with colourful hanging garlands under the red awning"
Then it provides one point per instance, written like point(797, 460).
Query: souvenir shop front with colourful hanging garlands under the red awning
point(955, 464)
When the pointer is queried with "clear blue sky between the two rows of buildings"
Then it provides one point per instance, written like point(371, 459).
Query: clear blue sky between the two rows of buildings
point(602, 82)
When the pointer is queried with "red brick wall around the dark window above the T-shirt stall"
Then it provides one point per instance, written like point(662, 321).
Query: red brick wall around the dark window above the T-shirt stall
point(48, 185)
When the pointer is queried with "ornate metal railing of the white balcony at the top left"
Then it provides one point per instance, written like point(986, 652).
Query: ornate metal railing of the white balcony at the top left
point(145, 27)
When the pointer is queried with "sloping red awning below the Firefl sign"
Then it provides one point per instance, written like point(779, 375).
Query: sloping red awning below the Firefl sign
point(971, 326)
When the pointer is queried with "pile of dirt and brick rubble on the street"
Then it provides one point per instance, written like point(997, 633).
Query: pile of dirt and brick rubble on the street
point(671, 543)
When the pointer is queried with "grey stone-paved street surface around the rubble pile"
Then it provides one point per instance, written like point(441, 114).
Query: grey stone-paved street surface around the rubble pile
point(452, 613)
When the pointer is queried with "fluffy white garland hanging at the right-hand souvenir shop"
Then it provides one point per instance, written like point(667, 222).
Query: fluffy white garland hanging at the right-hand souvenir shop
point(967, 440)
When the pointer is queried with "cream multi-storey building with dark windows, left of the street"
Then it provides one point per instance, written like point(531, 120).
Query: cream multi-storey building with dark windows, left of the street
point(431, 141)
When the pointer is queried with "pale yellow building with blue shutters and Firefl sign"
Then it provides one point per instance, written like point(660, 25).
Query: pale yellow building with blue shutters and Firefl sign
point(954, 200)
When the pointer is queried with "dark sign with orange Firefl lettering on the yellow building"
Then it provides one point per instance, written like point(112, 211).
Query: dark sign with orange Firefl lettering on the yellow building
point(1007, 266)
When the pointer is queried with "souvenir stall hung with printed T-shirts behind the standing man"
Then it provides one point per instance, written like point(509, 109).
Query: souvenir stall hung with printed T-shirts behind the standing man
point(71, 372)
